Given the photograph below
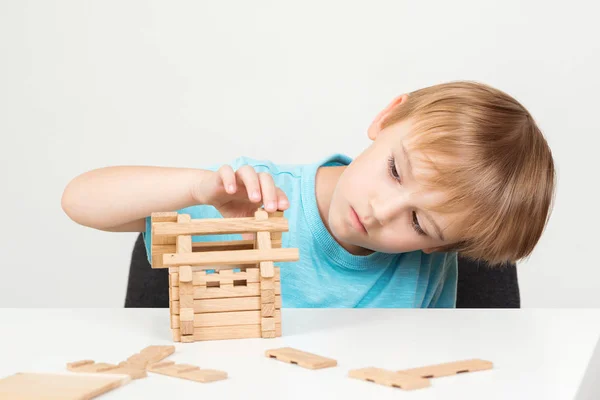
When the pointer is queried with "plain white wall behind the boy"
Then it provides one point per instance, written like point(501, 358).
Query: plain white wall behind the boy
point(90, 84)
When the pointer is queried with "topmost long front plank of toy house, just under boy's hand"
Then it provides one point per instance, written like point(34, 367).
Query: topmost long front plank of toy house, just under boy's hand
point(218, 226)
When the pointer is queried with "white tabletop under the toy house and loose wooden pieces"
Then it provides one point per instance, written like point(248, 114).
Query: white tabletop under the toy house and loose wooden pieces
point(536, 353)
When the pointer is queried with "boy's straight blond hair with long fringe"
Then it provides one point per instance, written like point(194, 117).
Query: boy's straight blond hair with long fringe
point(492, 162)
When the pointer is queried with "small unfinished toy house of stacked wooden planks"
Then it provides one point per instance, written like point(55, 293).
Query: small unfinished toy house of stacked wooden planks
point(242, 297)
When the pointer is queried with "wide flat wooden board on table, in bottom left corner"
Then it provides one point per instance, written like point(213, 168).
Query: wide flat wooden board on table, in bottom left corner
point(41, 386)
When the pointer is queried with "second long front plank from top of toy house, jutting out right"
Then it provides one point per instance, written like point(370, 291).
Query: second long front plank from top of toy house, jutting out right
point(217, 258)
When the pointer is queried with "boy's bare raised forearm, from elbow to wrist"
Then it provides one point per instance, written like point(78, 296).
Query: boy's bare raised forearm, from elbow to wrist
point(113, 196)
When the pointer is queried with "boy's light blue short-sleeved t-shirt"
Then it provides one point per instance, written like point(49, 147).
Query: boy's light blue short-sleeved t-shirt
point(327, 275)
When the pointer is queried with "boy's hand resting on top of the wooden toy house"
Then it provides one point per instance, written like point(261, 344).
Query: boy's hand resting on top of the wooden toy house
point(240, 193)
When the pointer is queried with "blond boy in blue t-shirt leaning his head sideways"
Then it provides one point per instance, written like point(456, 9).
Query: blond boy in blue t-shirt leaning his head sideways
point(455, 167)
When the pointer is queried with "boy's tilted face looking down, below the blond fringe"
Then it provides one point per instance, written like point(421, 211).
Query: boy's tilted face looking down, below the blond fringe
point(381, 189)
